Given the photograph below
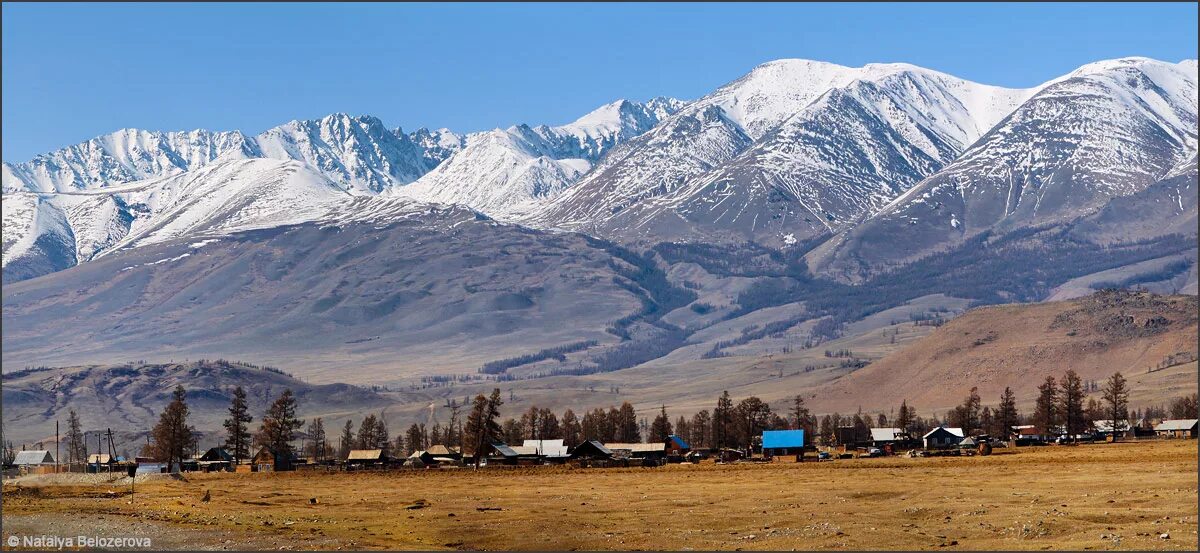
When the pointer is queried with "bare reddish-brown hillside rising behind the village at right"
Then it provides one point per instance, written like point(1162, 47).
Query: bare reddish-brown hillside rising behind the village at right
point(1150, 339)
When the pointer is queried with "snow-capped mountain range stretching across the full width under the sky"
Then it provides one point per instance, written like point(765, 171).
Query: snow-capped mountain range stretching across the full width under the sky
point(794, 152)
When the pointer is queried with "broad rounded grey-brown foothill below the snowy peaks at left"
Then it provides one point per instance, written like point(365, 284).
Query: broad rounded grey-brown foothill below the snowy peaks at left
point(374, 291)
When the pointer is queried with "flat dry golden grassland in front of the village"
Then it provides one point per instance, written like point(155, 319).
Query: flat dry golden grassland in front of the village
point(1090, 497)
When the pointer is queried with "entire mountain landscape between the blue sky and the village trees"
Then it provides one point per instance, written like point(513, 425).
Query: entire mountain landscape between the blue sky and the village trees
point(658, 253)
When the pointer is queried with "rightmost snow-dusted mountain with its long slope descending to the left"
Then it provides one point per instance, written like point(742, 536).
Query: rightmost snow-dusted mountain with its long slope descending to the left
point(1107, 131)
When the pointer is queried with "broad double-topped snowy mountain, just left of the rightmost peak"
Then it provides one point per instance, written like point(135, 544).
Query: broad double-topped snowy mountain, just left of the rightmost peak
point(794, 151)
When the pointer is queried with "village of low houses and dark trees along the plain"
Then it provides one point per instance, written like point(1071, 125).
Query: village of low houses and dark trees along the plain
point(747, 432)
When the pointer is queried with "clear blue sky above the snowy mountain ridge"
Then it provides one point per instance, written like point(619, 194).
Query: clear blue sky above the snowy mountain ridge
point(73, 73)
